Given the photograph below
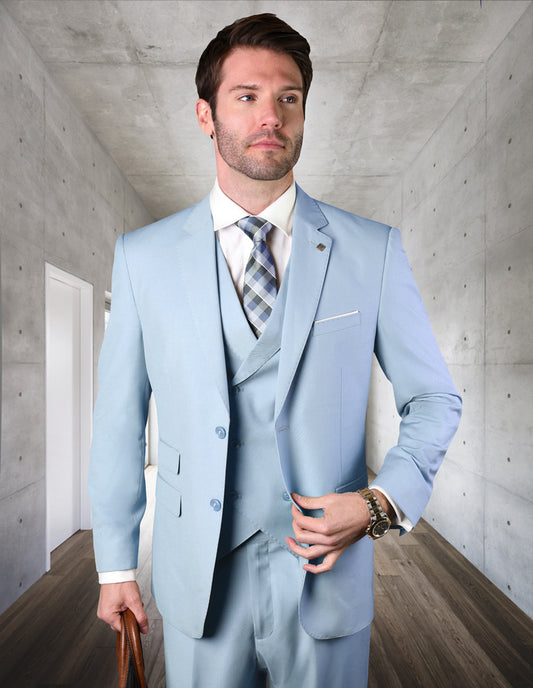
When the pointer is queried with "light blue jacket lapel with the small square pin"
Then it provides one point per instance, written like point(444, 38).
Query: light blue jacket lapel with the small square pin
point(308, 264)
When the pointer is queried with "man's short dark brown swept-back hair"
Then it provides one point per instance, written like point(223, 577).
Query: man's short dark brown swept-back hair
point(258, 31)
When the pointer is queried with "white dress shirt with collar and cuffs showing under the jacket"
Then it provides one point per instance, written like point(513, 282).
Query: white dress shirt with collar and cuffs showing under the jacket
point(236, 247)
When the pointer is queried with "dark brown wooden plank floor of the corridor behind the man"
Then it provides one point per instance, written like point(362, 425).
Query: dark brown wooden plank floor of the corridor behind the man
point(439, 623)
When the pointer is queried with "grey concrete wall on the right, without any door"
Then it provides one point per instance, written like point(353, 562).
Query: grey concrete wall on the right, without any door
point(465, 208)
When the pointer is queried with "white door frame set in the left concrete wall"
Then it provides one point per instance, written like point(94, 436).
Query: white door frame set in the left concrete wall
point(85, 290)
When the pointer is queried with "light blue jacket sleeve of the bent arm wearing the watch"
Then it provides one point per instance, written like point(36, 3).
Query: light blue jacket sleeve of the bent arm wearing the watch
point(425, 395)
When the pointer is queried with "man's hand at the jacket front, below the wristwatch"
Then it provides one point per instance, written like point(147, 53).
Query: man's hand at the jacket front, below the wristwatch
point(345, 520)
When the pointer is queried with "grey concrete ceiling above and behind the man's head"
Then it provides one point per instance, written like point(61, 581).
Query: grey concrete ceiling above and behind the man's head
point(386, 75)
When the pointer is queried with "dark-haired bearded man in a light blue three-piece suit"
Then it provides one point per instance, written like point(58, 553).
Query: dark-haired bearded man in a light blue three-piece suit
point(253, 317)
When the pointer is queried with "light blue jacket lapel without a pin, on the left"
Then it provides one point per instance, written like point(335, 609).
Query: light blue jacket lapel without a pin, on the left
point(196, 255)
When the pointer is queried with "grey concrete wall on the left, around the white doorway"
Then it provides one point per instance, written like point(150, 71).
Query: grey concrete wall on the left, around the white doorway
point(64, 201)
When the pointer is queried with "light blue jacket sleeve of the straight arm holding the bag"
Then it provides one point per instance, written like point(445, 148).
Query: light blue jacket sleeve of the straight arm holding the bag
point(116, 474)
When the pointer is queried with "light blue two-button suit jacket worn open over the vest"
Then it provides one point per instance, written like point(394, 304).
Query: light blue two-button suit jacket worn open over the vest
point(350, 294)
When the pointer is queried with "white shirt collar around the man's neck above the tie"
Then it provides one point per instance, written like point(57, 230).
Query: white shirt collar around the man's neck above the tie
point(226, 212)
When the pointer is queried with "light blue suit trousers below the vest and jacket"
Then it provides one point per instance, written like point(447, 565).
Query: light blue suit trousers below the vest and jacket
point(253, 631)
